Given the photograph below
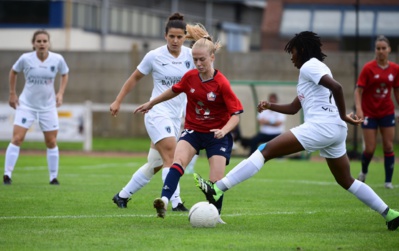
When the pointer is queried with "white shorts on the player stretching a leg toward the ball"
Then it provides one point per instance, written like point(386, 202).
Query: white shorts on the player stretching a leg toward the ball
point(330, 139)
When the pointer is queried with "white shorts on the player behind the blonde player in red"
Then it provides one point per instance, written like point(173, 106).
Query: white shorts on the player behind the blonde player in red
point(160, 126)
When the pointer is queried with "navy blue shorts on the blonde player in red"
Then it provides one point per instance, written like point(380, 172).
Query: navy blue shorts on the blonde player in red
point(212, 146)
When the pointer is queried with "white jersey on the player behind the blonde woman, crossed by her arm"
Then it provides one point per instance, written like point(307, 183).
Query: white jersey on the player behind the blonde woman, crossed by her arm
point(166, 71)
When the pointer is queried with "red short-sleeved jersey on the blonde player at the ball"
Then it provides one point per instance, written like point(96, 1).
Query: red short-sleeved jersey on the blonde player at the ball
point(210, 104)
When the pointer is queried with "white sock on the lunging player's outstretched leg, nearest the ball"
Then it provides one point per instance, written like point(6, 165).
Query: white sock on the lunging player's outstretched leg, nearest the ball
point(243, 171)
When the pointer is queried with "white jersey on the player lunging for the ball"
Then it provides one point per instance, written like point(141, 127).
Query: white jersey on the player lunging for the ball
point(317, 102)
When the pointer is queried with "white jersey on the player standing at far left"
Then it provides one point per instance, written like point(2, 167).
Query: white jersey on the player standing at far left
point(39, 93)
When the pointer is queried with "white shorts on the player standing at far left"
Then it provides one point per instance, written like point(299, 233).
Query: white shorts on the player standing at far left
point(48, 120)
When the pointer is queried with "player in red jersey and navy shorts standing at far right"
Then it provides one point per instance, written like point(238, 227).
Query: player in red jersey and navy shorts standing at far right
point(374, 104)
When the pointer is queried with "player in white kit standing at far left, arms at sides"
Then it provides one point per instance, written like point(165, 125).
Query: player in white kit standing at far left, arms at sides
point(38, 101)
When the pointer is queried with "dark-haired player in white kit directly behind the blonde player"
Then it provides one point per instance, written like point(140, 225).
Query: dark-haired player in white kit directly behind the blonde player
point(167, 64)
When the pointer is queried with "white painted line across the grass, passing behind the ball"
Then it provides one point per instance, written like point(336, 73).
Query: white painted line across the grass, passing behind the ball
point(139, 215)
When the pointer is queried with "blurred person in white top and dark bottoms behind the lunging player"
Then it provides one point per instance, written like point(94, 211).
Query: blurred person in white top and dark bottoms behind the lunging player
point(271, 124)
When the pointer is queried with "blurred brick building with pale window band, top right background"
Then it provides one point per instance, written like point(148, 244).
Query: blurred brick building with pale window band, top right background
point(334, 20)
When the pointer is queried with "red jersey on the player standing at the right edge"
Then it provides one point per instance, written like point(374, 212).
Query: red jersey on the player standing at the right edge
point(377, 84)
